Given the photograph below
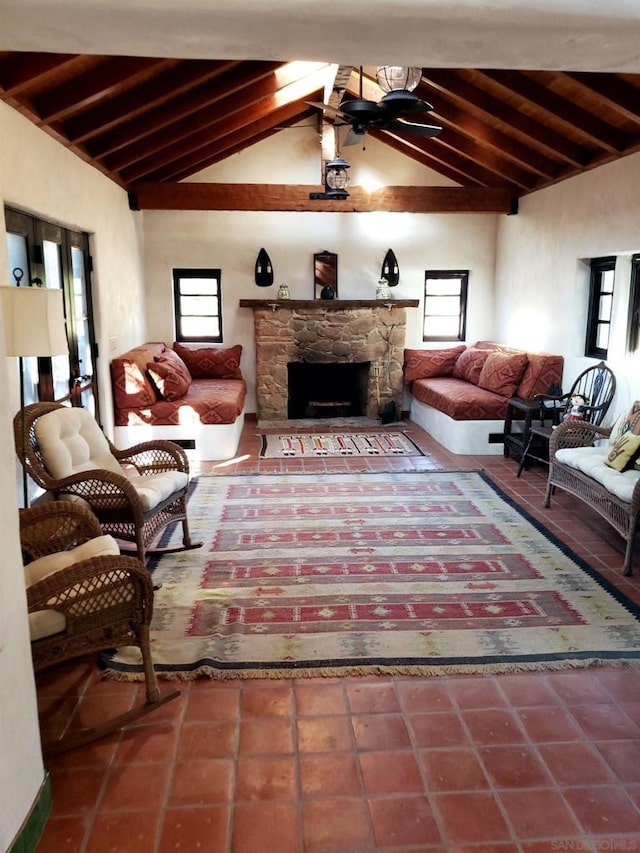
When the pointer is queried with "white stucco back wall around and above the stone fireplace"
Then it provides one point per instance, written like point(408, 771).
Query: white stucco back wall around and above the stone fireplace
point(232, 240)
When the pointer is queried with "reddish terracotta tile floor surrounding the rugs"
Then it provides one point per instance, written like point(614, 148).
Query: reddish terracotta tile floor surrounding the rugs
point(518, 762)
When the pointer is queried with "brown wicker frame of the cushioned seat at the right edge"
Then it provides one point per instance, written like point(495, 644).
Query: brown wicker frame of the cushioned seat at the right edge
point(621, 514)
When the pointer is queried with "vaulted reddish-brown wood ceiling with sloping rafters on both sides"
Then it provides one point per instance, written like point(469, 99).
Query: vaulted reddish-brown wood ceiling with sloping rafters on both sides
point(145, 120)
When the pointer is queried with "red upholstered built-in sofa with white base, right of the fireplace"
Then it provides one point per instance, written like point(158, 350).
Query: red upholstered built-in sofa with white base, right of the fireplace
point(459, 395)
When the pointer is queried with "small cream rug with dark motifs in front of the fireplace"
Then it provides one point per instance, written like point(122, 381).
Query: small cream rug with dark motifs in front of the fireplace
point(337, 444)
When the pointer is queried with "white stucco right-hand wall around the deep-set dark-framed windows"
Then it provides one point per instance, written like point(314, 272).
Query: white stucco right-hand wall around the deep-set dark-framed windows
point(542, 267)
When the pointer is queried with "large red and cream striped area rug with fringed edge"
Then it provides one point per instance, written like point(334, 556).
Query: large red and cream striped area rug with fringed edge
point(331, 574)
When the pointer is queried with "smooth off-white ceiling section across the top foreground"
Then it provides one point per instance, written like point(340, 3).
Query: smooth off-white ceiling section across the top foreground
point(578, 35)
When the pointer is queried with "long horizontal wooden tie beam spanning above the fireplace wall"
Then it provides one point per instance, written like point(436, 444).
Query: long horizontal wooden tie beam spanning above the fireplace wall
point(286, 197)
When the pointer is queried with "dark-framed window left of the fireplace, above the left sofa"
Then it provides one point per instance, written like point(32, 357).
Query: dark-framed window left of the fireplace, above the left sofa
point(197, 301)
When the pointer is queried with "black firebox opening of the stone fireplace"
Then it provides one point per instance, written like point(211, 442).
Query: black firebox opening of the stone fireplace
point(325, 390)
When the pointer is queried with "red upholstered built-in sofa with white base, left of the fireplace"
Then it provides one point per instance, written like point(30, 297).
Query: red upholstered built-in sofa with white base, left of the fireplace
point(191, 394)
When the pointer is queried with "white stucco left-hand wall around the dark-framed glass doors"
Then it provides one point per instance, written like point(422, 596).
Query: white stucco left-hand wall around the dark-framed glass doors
point(39, 175)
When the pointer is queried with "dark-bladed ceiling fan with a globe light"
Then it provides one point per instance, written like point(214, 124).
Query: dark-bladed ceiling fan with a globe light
point(389, 113)
